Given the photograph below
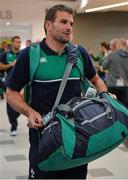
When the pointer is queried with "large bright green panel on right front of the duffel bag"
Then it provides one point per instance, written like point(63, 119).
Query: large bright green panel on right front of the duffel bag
point(111, 135)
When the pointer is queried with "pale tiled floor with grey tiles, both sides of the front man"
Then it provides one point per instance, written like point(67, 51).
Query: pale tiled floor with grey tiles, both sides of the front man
point(14, 155)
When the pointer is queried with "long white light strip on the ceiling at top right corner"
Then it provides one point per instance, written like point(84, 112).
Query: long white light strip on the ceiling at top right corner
point(106, 7)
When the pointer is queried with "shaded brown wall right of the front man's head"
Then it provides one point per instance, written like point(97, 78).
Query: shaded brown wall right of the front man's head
point(92, 28)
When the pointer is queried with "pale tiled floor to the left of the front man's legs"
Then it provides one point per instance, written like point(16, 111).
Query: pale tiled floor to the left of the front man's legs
point(13, 150)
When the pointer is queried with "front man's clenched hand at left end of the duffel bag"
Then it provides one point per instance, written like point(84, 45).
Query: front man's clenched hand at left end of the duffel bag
point(35, 120)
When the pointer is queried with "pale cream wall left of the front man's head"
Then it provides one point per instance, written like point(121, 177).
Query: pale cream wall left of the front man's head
point(27, 14)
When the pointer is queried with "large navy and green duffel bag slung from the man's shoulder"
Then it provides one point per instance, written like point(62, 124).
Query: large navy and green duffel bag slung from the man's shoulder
point(81, 131)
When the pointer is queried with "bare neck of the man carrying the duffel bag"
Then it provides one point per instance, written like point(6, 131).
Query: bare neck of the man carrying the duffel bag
point(55, 46)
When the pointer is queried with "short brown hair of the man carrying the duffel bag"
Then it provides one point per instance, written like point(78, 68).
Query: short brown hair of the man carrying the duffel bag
point(51, 13)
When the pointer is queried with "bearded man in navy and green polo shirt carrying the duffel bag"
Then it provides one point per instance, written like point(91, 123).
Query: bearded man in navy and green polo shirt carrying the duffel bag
point(58, 27)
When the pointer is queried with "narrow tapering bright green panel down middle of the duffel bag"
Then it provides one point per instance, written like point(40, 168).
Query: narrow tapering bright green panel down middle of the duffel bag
point(68, 135)
